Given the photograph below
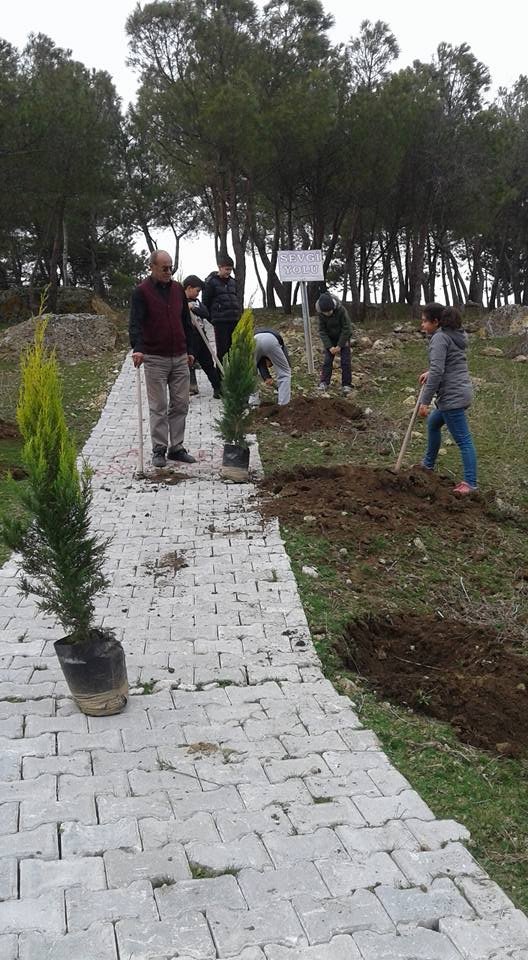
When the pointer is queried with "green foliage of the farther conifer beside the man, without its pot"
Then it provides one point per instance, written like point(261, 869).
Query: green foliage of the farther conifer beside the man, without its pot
point(238, 383)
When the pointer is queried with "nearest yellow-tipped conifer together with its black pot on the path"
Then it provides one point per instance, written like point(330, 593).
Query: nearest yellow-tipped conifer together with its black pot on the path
point(60, 559)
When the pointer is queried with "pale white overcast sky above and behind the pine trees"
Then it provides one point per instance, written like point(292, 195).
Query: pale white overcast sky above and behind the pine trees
point(95, 32)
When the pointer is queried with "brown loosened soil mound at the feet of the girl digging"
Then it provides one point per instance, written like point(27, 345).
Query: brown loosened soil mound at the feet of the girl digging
point(349, 501)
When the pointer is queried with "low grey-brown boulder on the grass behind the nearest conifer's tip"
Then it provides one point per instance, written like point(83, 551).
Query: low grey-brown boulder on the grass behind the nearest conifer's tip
point(75, 336)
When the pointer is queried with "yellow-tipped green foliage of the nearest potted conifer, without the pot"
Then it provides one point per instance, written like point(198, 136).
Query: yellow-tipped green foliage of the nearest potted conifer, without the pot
point(60, 559)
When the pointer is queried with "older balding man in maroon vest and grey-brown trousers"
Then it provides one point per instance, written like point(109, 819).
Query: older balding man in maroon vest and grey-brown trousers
point(161, 338)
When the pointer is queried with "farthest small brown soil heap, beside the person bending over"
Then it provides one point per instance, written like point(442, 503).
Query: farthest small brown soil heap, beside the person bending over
point(307, 414)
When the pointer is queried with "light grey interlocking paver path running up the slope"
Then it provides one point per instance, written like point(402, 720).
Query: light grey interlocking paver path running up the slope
point(239, 809)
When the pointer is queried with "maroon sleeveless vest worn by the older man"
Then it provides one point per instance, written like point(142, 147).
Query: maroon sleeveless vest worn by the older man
point(163, 333)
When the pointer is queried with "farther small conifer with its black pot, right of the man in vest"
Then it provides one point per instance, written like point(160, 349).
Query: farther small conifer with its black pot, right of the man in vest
point(239, 382)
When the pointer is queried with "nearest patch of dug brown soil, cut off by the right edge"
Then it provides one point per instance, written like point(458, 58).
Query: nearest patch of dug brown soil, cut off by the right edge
point(459, 672)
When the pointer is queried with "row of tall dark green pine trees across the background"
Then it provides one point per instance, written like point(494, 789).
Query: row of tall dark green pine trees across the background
point(253, 125)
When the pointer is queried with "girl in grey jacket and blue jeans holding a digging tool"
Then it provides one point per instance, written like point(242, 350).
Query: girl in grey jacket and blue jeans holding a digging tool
point(447, 378)
